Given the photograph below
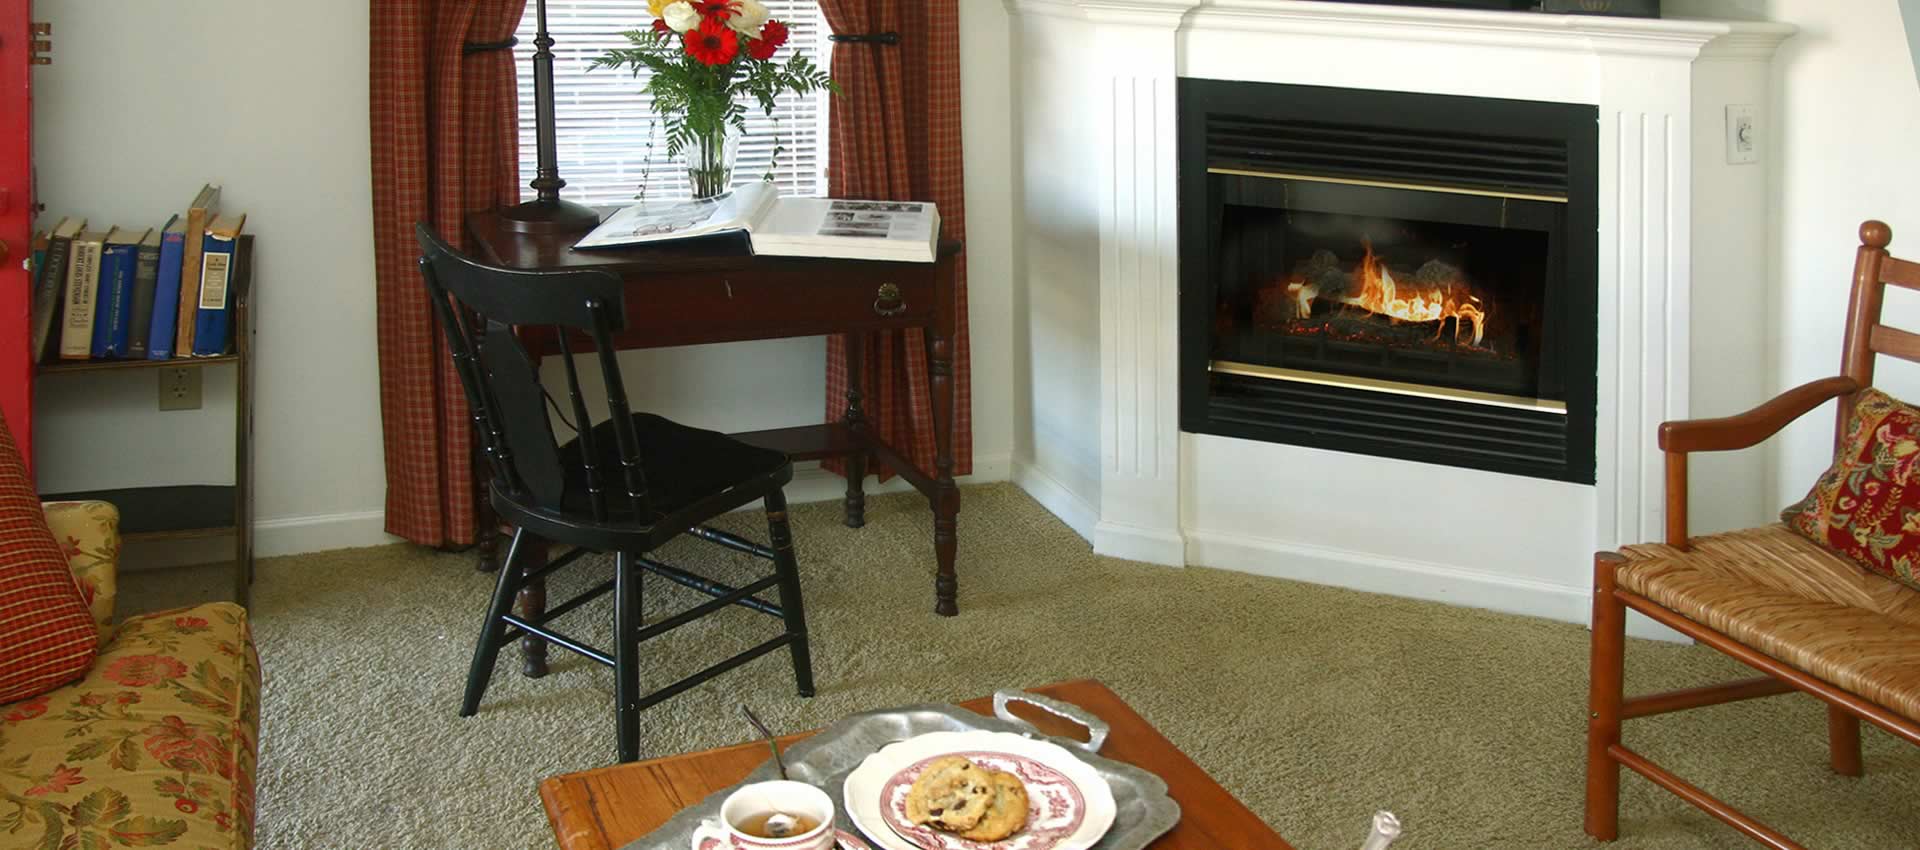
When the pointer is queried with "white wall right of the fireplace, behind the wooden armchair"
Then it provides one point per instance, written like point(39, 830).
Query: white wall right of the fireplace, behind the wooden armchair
point(1848, 110)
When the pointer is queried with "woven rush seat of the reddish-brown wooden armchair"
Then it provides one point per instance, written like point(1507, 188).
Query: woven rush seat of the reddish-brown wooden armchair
point(1794, 602)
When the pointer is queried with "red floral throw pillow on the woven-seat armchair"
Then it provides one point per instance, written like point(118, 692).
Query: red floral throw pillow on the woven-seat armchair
point(1867, 506)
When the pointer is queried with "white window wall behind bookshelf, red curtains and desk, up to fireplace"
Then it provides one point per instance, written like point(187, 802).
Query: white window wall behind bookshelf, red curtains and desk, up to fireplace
point(151, 99)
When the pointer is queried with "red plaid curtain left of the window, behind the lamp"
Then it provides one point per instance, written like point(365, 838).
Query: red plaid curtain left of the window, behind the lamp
point(444, 145)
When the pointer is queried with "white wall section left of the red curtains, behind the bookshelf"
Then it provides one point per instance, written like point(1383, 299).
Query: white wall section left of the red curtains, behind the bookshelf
point(145, 103)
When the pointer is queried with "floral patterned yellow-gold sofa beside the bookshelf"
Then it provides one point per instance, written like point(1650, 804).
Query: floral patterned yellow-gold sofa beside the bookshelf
point(156, 745)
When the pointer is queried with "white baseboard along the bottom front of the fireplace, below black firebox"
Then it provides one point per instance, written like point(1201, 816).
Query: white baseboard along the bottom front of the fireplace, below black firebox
point(1406, 578)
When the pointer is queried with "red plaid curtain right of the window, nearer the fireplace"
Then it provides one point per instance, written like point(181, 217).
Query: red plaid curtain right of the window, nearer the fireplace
point(896, 135)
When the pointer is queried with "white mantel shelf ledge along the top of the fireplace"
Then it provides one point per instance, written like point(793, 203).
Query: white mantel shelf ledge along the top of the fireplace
point(1552, 32)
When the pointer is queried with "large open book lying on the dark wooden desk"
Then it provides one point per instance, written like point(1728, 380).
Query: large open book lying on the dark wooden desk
point(786, 227)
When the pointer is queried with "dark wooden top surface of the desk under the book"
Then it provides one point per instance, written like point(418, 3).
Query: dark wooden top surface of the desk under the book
point(552, 252)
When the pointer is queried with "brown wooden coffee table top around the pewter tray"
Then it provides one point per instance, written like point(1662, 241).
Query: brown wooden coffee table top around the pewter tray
point(612, 807)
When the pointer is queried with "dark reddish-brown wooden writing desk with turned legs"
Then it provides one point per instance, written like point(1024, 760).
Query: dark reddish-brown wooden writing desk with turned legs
point(709, 291)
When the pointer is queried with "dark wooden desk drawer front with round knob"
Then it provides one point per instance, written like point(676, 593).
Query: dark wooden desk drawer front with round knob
point(679, 312)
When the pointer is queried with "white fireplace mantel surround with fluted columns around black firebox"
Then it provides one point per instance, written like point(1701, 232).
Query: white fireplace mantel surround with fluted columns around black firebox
point(1101, 237)
